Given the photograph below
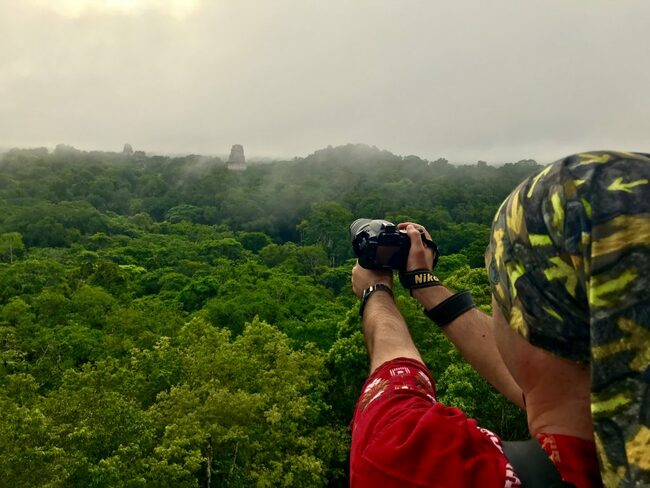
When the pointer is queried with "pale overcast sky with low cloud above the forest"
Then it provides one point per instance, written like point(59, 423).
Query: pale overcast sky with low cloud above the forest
point(498, 80)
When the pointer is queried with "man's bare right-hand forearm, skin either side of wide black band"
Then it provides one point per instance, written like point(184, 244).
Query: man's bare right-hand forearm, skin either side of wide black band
point(473, 335)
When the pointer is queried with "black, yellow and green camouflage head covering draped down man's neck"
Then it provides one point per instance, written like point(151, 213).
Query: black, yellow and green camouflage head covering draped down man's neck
point(569, 266)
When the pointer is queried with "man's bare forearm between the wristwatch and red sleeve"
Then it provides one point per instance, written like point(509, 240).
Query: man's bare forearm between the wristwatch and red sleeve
point(386, 334)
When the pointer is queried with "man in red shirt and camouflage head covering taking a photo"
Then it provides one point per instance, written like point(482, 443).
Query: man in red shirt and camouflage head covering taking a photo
point(569, 339)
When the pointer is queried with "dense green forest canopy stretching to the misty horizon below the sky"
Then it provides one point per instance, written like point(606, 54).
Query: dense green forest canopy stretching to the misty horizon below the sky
point(168, 322)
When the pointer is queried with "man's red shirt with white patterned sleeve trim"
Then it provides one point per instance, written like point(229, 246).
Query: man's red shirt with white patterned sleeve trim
point(402, 437)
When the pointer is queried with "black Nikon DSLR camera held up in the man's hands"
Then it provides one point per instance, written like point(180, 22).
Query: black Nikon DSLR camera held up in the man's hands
point(379, 245)
